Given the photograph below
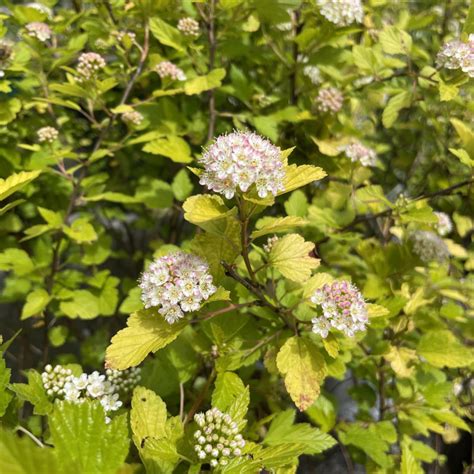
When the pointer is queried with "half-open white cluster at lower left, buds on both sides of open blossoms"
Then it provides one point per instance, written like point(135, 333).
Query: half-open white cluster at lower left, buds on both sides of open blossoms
point(60, 383)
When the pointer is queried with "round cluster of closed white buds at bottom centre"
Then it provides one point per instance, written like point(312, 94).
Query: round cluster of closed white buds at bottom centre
point(218, 439)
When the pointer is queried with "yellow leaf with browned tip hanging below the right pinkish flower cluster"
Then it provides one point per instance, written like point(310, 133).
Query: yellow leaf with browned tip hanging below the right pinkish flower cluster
point(303, 368)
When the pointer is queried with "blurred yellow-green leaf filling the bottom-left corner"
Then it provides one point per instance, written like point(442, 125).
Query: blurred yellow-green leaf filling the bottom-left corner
point(23, 456)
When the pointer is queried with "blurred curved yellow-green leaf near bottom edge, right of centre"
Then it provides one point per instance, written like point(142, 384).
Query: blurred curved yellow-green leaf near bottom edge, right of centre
point(368, 441)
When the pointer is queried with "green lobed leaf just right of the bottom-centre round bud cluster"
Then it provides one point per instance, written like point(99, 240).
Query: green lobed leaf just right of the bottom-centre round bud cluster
point(283, 430)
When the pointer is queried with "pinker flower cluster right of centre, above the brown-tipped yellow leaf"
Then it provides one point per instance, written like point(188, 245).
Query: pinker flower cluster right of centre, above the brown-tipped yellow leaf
point(343, 308)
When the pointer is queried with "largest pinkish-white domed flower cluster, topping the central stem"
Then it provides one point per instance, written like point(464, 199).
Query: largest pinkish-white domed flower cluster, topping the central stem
point(239, 160)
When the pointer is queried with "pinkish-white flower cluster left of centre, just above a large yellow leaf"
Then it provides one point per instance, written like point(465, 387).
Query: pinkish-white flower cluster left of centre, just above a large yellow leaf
point(177, 283)
